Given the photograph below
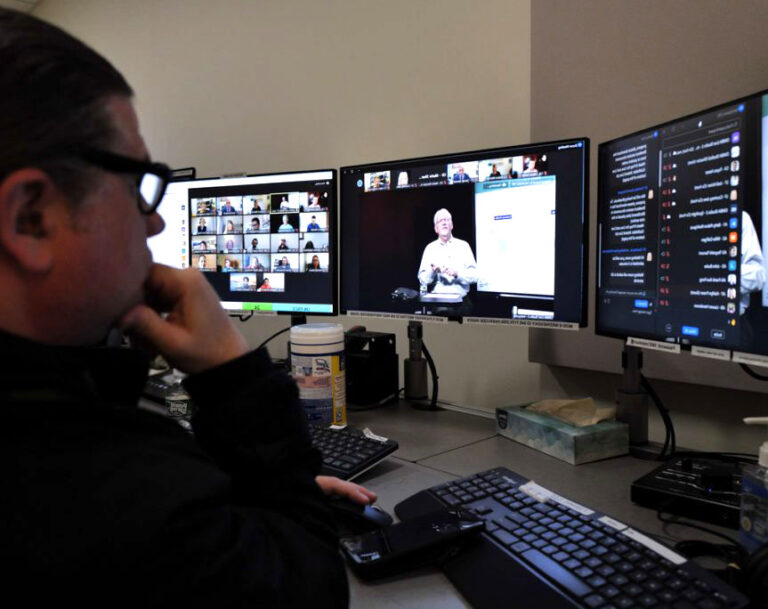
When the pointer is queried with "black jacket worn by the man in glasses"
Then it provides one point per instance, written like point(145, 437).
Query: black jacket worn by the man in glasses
point(107, 505)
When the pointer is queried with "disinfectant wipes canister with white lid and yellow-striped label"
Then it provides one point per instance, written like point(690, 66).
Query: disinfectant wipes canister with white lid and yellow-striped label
point(317, 361)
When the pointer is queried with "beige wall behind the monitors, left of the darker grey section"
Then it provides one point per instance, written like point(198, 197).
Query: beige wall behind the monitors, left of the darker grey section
point(256, 86)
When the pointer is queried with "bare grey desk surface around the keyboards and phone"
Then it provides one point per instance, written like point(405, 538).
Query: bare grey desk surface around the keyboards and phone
point(443, 445)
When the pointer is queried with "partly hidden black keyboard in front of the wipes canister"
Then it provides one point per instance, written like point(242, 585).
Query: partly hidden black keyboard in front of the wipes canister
point(348, 452)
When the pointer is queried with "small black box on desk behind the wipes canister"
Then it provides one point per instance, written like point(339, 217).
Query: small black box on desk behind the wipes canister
point(371, 368)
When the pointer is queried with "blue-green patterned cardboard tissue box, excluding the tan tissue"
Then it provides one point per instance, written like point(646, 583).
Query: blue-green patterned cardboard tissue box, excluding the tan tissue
point(561, 440)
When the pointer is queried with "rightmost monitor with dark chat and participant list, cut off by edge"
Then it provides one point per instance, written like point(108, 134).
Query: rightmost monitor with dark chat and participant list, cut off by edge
point(681, 230)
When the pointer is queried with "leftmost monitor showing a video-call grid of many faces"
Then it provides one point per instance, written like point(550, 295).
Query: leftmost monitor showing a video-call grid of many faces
point(266, 243)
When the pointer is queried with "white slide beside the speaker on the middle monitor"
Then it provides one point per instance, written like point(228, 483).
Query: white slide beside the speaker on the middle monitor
point(515, 236)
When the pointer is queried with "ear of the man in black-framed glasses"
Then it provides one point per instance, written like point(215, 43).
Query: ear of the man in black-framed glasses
point(30, 210)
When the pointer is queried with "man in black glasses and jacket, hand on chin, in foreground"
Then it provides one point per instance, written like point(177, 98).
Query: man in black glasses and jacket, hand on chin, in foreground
point(104, 504)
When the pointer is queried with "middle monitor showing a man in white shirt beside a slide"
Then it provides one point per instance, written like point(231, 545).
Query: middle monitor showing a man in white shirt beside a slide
point(494, 234)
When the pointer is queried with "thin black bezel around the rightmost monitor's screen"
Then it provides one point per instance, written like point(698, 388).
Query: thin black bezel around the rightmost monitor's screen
point(600, 194)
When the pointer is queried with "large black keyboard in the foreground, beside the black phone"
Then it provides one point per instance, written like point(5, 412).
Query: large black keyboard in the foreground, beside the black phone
point(542, 551)
